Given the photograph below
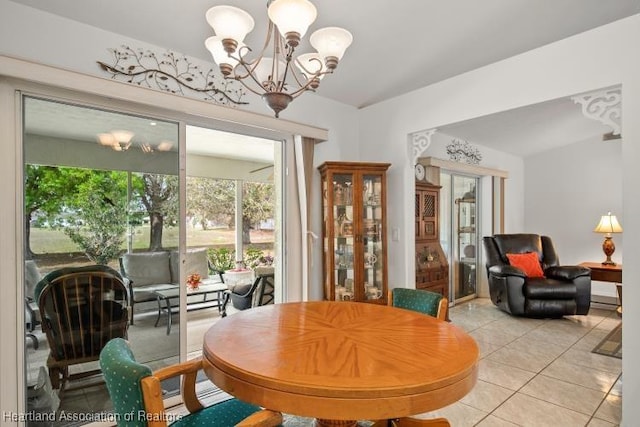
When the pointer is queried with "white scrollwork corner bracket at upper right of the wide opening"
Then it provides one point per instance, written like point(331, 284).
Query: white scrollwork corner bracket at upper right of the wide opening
point(604, 106)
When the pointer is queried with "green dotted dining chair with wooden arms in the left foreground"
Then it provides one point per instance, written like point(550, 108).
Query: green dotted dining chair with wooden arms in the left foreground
point(136, 394)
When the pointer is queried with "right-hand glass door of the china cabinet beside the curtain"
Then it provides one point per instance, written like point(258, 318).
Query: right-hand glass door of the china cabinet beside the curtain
point(371, 240)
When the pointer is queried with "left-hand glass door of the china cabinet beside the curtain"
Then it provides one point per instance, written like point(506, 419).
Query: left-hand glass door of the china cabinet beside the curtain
point(343, 236)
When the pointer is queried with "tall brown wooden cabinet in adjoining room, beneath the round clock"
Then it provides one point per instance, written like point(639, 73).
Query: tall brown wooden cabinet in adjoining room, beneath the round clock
point(432, 268)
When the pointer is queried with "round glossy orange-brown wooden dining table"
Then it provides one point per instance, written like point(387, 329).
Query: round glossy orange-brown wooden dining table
point(340, 361)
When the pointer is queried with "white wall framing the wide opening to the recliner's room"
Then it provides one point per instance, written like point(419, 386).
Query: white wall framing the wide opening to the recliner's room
point(603, 57)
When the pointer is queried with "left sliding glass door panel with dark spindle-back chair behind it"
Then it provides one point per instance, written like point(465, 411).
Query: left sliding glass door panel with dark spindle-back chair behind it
point(98, 185)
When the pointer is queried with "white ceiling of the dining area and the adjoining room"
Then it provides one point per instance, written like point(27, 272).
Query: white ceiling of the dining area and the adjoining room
point(399, 46)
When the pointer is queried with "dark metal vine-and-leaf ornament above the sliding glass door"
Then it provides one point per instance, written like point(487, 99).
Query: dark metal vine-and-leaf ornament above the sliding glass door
point(174, 73)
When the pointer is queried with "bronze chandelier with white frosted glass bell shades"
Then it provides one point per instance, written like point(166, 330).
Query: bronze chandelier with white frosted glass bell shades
point(271, 74)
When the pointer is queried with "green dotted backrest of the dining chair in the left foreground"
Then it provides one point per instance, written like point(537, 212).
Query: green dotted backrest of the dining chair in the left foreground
point(122, 375)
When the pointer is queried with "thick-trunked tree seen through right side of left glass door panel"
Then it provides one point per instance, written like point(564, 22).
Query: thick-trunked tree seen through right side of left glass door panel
point(159, 196)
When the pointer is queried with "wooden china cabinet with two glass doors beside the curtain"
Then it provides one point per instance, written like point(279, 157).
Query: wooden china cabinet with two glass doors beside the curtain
point(354, 231)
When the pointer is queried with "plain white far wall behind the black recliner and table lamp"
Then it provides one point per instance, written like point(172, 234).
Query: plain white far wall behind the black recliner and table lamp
point(567, 190)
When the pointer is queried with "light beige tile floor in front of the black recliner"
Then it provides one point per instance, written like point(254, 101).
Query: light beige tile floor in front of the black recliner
point(538, 372)
